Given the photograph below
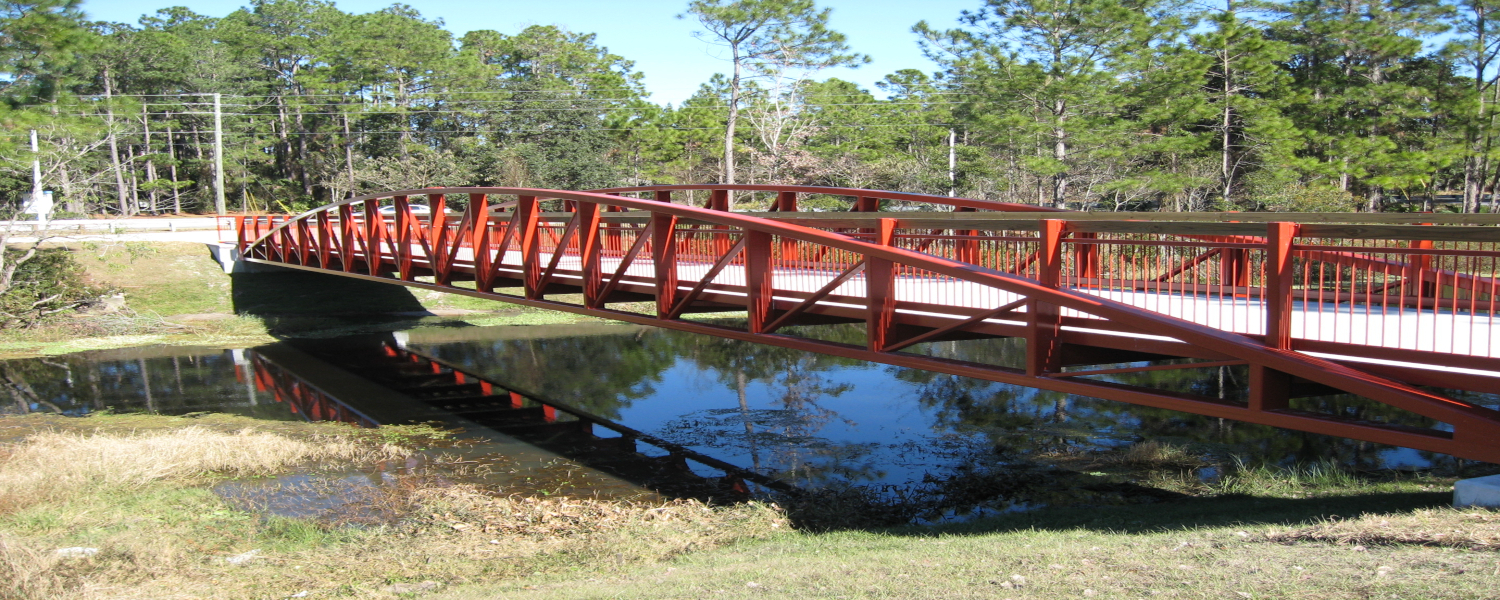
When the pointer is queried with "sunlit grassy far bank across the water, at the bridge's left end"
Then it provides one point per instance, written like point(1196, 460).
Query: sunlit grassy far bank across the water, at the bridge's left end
point(178, 295)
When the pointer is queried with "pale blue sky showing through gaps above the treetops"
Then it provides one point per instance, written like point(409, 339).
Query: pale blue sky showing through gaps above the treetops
point(643, 31)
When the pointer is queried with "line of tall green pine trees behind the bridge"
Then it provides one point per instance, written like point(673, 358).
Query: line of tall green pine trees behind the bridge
point(1087, 104)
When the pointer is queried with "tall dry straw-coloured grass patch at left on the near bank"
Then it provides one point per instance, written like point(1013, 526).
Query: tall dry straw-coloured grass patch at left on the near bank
point(55, 466)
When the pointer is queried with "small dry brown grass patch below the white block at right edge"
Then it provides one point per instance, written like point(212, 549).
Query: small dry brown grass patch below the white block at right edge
point(1471, 529)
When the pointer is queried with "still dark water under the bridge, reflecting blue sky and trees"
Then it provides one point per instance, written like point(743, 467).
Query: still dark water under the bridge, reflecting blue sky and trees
point(809, 419)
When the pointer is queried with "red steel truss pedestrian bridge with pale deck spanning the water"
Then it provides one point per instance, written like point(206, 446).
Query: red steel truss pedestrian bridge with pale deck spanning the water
point(1319, 305)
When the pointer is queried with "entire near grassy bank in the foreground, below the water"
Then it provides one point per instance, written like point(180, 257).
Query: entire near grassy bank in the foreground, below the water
point(125, 506)
